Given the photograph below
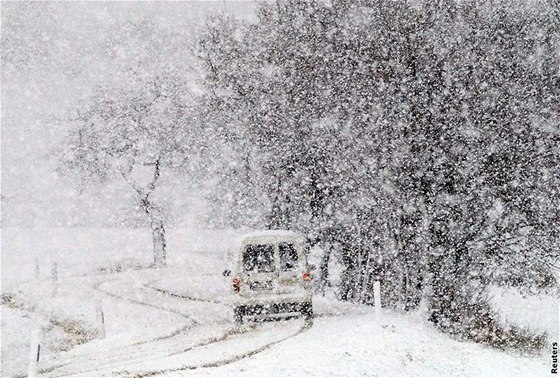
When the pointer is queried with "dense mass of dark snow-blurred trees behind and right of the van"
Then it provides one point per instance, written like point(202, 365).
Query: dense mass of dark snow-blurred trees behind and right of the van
point(418, 141)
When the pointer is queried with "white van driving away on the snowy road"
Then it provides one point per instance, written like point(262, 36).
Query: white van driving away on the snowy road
point(270, 276)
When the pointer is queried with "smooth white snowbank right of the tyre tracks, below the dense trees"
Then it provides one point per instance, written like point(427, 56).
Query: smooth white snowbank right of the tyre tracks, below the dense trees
point(363, 345)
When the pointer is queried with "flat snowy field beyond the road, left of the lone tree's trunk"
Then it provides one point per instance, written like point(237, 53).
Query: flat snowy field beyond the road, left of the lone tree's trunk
point(75, 250)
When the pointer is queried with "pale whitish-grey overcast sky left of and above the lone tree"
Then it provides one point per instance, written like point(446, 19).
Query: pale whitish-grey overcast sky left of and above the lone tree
point(55, 47)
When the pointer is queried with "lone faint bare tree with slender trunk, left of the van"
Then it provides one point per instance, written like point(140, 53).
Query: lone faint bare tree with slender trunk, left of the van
point(136, 130)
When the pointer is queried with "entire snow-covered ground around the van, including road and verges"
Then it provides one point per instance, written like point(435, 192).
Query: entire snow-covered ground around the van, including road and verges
point(177, 321)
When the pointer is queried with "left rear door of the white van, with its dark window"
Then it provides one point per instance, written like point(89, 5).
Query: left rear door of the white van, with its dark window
point(259, 268)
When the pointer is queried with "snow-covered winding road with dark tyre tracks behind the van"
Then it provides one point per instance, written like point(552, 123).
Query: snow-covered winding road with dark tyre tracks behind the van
point(200, 334)
